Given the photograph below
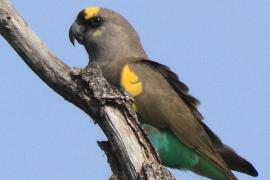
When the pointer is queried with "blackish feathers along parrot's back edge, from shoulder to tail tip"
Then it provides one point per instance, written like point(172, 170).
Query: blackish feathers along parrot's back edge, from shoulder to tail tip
point(232, 159)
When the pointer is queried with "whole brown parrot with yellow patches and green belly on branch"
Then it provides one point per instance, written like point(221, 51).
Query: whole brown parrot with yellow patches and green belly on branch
point(166, 110)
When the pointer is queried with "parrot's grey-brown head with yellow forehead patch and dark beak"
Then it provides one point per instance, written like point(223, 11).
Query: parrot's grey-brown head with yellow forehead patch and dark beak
point(105, 34)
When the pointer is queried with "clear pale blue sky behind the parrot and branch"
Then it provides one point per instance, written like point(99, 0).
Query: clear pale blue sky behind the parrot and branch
point(220, 49)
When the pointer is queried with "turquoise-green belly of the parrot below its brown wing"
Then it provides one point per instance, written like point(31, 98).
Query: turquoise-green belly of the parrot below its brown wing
point(173, 153)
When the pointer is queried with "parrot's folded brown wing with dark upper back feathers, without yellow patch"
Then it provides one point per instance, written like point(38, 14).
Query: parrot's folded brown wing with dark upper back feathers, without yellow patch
point(161, 105)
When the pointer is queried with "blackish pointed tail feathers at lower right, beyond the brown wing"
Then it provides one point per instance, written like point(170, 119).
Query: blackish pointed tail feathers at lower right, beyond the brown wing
point(232, 159)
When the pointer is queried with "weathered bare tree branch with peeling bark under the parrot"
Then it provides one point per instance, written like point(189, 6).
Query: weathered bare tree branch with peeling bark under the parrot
point(129, 152)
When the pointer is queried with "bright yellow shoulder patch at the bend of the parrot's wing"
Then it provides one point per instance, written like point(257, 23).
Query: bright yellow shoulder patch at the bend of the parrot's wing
point(130, 82)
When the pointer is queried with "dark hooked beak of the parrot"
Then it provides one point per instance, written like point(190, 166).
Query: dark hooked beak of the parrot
point(75, 33)
